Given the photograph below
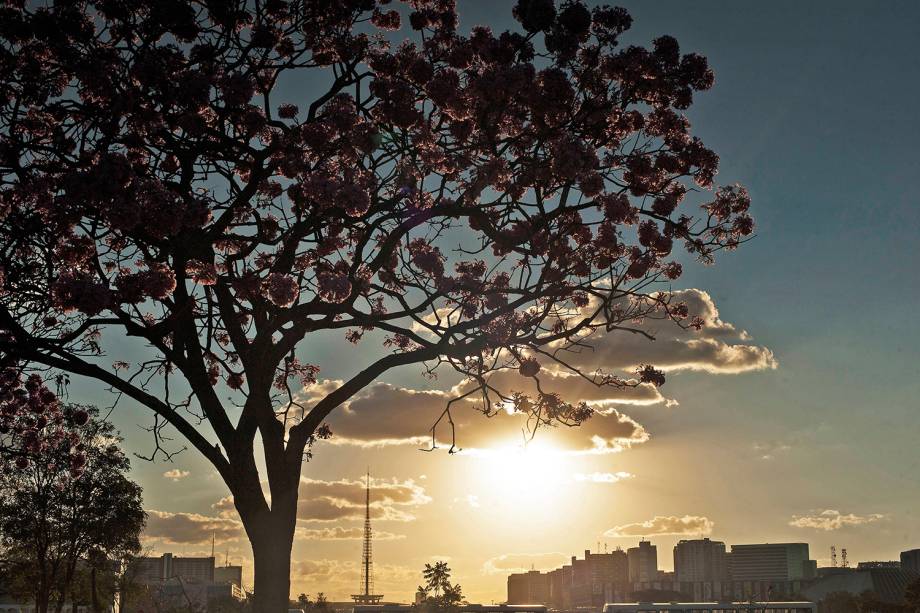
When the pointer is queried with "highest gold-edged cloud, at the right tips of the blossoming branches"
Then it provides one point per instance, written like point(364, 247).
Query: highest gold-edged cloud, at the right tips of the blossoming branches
point(718, 348)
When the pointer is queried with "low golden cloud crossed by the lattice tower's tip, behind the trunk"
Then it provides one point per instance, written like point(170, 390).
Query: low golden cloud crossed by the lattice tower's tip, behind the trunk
point(344, 499)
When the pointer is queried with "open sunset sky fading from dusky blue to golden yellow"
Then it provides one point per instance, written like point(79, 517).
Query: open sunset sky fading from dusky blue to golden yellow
point(815, 109)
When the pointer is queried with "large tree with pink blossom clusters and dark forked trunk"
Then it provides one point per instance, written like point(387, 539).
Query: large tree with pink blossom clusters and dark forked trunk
point(476, 202)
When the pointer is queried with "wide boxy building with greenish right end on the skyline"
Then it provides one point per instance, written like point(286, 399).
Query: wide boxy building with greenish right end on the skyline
point(770, 562)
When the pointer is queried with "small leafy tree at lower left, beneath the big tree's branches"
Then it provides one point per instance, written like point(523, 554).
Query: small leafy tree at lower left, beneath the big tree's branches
point(73, 526)
